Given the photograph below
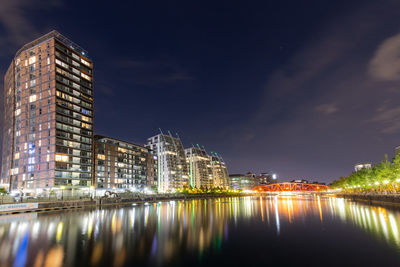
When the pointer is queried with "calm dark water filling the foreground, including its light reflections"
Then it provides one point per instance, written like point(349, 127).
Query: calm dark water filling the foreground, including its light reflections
point(247, 231)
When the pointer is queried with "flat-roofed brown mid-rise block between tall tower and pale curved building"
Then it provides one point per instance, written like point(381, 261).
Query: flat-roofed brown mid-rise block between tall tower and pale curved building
point(123, 165)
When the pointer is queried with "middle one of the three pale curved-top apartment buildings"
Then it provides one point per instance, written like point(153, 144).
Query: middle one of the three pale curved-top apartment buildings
point(200, 169)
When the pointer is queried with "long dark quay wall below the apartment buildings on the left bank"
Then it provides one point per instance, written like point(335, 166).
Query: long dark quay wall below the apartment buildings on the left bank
point(102, 202)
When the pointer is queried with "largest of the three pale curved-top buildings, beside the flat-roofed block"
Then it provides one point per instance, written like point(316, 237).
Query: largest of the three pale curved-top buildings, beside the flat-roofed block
point(172, 167)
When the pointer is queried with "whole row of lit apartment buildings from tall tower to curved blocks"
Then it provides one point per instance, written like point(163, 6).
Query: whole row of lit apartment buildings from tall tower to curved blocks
point(49, 139)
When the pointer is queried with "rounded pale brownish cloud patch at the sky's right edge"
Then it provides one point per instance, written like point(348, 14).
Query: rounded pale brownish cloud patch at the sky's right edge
point(385, 65)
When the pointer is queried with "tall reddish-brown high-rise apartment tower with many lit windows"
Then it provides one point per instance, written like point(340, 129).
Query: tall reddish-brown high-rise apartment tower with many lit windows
point(48, 116)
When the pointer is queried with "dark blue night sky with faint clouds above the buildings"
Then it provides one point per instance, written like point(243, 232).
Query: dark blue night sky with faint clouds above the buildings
point(306, 89)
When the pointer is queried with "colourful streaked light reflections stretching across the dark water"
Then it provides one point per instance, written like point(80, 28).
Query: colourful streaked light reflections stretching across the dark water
point(167, 232)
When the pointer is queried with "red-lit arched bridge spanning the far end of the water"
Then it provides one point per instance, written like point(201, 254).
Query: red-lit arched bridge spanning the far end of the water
point(291, 187)
